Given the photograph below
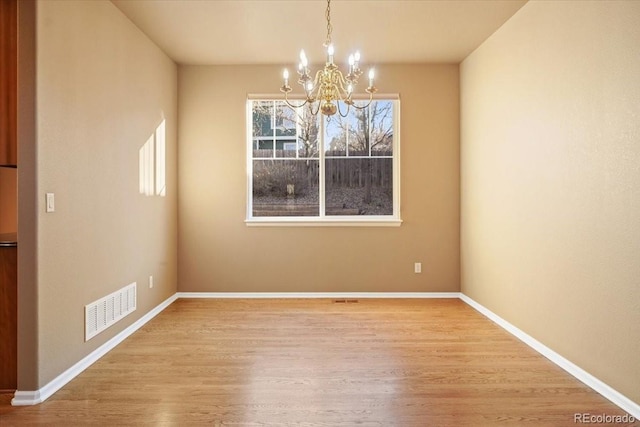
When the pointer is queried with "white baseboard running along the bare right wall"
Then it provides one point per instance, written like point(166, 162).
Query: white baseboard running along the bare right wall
point(605, 390)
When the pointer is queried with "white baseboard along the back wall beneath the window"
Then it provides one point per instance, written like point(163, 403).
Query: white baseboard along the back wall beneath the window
point(331, 295)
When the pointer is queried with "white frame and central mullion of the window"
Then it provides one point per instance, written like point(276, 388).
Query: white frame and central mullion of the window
point(322, 219)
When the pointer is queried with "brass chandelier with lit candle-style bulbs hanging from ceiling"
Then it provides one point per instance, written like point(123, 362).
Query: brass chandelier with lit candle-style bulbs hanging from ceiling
point(329, 86)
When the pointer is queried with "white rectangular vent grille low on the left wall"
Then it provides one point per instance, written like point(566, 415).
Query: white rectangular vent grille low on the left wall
point(106, 311)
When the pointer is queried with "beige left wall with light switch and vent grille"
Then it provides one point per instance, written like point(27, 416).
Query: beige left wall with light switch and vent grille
point(102, 88)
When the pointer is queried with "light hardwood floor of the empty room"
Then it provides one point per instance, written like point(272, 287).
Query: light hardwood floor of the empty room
point(314, 362)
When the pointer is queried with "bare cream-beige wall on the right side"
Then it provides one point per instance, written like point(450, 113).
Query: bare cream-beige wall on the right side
point(550, 181)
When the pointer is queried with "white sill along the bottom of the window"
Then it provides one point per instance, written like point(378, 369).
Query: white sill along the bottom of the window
point(324, 222)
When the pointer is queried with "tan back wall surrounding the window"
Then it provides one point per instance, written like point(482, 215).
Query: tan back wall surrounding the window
point(219, 253)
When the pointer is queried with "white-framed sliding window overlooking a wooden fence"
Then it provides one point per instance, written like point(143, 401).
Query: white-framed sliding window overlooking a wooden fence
point(306, 169)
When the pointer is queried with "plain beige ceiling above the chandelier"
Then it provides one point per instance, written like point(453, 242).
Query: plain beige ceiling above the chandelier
point(274, 31)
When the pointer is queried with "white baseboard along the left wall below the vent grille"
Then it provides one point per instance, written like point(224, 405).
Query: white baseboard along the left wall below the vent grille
point(23, 398)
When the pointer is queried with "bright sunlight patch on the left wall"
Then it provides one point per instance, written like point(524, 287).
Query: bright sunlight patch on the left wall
point(152, 164)
